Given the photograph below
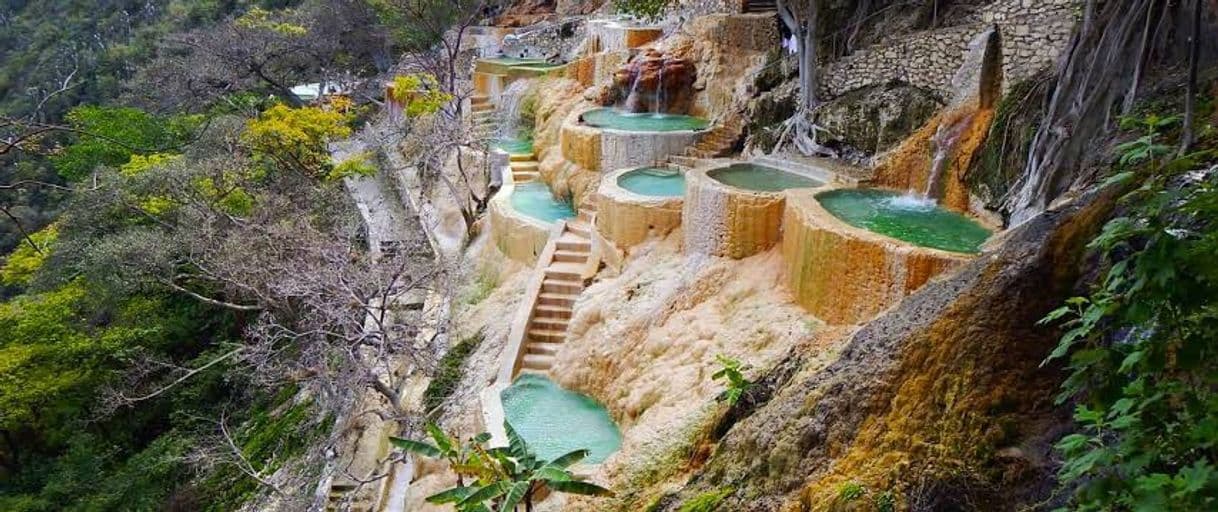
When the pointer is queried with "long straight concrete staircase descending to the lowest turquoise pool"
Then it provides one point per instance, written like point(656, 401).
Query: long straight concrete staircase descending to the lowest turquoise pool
point(561, 287)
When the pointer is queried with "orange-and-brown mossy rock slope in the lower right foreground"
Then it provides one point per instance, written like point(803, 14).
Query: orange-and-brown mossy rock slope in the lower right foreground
point(938, 404)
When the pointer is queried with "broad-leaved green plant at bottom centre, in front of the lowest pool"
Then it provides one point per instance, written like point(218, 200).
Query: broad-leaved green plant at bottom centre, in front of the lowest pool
point(506, 477)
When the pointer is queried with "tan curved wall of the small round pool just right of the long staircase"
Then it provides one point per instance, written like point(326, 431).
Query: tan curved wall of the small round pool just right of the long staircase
point(628, 218)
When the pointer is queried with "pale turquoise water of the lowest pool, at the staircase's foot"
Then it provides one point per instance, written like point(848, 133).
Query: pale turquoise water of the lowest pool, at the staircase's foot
point(555, 421)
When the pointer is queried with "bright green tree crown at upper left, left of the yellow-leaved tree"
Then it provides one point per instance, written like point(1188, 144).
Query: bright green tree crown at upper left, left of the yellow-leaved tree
point(111, 136)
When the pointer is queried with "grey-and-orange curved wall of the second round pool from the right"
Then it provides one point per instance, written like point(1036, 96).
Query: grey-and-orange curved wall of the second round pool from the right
point(722, 220)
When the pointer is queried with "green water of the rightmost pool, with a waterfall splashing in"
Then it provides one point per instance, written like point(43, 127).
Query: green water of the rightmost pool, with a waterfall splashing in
point(904, 218)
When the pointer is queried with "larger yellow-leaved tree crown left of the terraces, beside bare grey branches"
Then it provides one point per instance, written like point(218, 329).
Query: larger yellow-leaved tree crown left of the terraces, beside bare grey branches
point(295, 140)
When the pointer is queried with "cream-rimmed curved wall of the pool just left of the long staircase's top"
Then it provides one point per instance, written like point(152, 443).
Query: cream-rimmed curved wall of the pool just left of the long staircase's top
point(518, 236)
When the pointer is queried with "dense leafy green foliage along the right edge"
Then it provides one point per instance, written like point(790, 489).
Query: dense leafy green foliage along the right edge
point(1141, 348)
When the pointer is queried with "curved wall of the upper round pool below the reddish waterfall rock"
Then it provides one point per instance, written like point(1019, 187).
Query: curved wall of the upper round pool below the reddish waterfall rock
point(606, 149)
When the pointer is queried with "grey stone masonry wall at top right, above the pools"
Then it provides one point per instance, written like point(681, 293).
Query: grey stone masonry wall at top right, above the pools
point(1032, 32)
